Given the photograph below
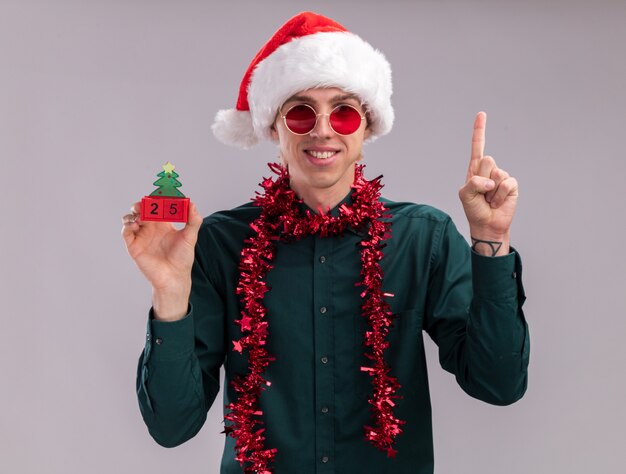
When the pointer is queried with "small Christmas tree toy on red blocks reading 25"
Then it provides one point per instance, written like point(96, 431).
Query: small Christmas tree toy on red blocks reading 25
point(166, 203)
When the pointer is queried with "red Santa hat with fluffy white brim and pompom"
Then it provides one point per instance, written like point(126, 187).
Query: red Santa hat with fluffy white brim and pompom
point(306, 52)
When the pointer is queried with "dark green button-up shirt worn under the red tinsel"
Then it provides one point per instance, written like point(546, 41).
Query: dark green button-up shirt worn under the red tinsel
point(316, 407)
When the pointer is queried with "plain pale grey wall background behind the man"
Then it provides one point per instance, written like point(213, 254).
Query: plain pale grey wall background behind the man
point(96, 95)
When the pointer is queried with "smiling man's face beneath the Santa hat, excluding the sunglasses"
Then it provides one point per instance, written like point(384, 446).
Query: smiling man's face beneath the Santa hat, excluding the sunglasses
point(322, 162)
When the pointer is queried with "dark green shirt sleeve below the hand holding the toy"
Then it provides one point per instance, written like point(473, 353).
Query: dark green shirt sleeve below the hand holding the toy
point(178, 370)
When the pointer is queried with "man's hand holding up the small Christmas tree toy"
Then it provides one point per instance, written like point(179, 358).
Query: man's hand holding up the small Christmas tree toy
point(165, 256)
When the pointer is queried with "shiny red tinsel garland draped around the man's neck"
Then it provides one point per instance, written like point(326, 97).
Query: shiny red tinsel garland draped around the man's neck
point(281, 218)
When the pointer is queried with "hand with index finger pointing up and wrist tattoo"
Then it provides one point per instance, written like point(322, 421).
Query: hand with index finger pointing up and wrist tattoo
point(489, 197)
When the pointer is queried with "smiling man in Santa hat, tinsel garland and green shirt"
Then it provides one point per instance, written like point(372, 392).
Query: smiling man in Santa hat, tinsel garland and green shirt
point(315, 296)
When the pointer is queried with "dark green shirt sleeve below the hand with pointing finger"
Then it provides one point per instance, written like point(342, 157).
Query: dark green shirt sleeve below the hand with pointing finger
point(474, 314)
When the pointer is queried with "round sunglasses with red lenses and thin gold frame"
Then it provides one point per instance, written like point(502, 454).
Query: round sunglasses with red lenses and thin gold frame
point(302, 118)
